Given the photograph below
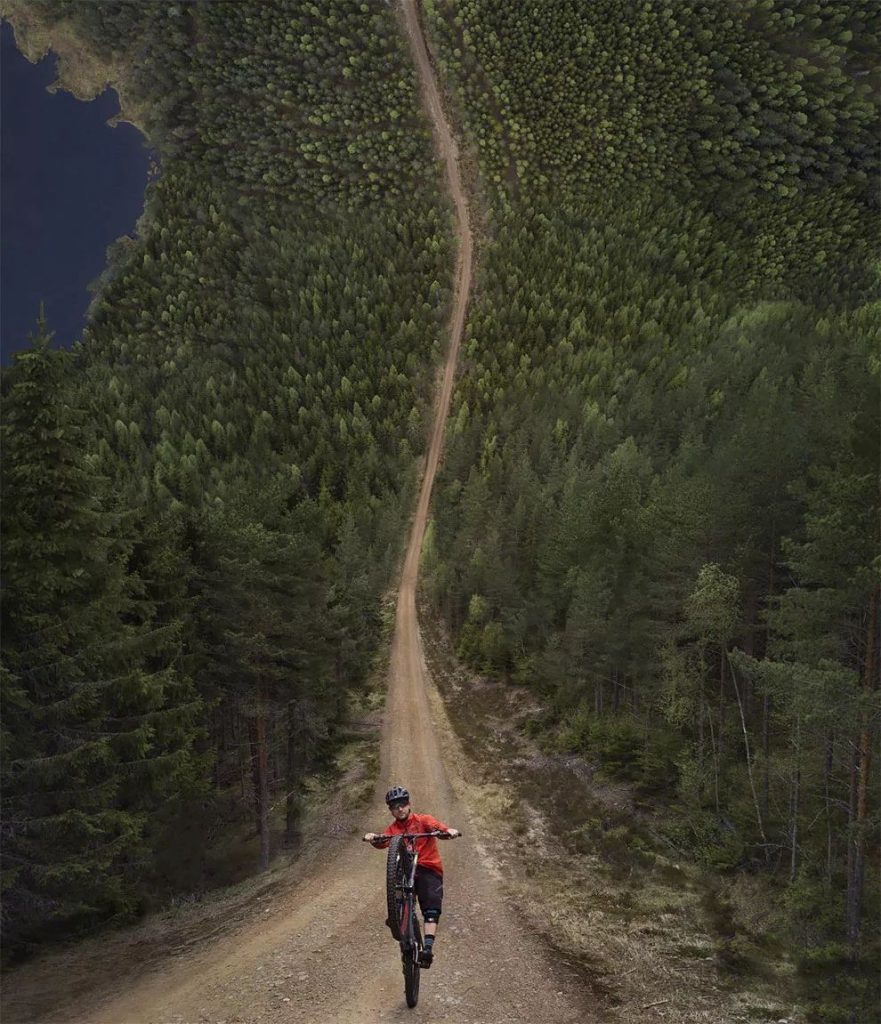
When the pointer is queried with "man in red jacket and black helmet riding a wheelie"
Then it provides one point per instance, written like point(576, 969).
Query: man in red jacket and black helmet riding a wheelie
point(430, 871)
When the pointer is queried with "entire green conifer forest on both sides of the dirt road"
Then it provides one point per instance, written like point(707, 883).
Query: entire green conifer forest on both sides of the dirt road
point(658, 507)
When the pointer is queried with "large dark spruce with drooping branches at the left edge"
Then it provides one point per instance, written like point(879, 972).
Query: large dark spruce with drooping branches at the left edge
point(95, 715)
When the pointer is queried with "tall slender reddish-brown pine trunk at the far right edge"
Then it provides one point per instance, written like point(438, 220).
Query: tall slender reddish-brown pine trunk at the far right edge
point(860, 782)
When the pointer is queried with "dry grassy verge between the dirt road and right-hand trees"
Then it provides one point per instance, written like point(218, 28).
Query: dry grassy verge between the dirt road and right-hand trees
point(586, 865)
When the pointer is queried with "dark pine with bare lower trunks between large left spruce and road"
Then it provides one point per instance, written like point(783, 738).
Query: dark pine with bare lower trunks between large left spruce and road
point(261, 650)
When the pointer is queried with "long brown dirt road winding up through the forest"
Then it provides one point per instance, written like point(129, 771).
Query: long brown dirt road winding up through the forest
point(321, 955)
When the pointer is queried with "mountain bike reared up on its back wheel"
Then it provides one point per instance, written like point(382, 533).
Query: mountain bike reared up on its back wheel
point(401, 902)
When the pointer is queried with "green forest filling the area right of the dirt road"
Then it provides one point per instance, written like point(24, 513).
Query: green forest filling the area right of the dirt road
point(659, 508)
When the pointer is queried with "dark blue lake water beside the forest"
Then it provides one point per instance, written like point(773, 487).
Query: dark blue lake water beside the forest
point(70, 186)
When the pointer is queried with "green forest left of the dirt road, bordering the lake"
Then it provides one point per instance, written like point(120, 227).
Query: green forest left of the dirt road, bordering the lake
point(204, 501)
